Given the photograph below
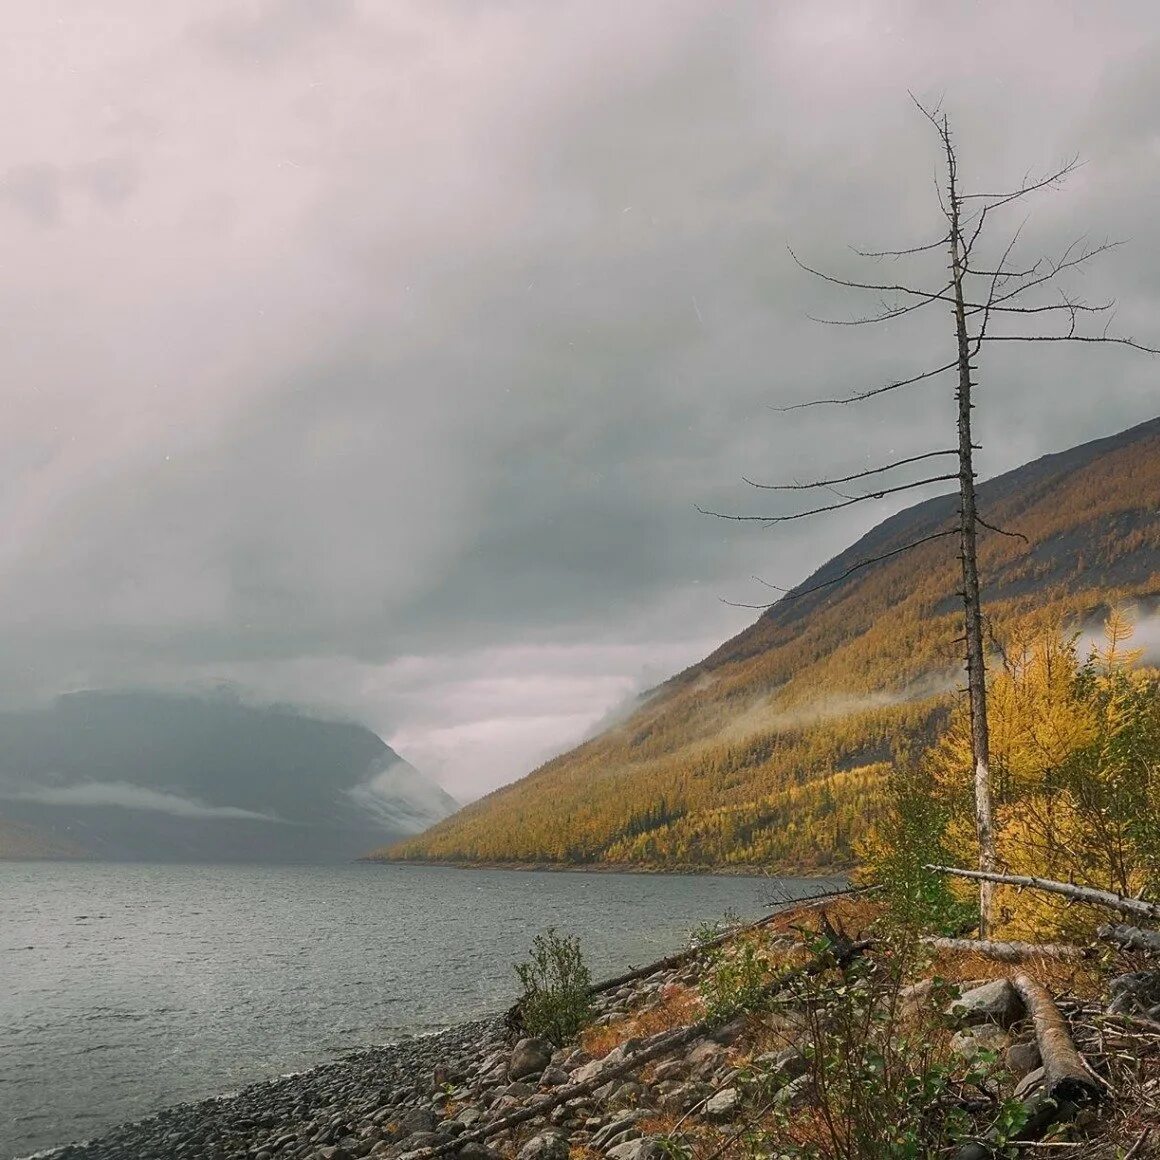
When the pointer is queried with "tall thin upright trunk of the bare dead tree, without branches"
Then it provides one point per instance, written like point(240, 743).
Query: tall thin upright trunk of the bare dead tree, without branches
point(976, 663)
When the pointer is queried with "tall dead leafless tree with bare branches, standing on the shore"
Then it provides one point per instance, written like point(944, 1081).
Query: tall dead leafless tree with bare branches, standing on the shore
point(981, 295)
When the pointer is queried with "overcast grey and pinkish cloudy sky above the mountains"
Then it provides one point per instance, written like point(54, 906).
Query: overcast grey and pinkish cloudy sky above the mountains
point(375, 356)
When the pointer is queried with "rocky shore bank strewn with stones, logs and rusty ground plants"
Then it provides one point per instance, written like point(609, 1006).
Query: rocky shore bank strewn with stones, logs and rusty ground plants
point(663, 1067)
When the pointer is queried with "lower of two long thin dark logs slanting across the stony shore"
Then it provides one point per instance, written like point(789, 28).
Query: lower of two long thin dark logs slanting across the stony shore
point(838, 955)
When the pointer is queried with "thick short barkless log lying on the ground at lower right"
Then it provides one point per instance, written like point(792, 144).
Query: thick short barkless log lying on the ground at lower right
point(1068, 1083)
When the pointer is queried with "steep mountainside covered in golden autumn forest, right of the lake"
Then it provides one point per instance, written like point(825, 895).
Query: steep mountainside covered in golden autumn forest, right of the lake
point(772, 750)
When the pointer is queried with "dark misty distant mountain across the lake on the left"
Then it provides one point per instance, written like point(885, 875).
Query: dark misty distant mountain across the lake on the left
point(150, 777)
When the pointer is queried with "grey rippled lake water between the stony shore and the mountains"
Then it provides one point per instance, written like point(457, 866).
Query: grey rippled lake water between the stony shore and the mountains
point(126, 989)
